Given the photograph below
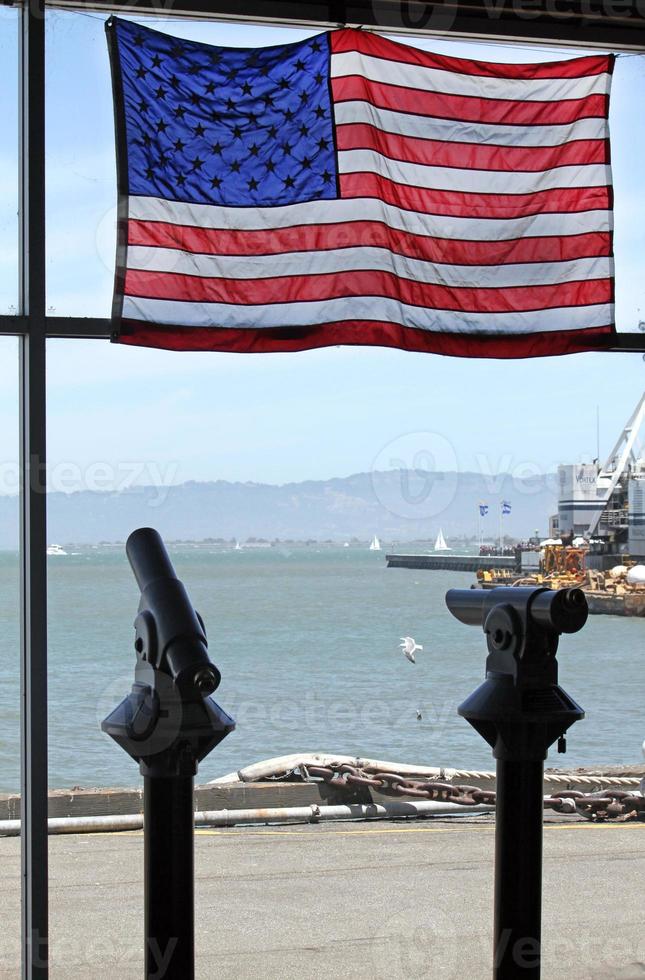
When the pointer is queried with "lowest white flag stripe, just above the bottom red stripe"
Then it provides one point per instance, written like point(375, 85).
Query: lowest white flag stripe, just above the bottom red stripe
point(233, 316)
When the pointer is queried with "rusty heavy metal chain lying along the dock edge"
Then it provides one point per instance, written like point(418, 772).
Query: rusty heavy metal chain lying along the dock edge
point(612, 804)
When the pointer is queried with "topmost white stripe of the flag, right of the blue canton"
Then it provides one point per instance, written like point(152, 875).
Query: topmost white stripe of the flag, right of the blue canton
point(471, 86)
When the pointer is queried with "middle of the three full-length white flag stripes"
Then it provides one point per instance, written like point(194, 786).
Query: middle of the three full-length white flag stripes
point(170, 260)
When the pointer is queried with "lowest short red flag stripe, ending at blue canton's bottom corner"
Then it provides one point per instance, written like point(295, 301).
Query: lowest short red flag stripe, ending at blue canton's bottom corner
point(461, 204)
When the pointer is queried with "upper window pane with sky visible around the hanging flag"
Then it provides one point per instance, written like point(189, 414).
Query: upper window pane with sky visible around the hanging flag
point(81, 168)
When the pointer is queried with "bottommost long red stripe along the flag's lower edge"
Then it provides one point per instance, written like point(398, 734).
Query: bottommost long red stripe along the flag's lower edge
point(364, 333)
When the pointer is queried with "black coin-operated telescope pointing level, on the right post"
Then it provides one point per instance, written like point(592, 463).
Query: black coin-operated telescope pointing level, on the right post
point(520, 710)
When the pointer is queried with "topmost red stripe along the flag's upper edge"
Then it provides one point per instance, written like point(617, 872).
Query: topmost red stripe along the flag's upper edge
point(380, 47)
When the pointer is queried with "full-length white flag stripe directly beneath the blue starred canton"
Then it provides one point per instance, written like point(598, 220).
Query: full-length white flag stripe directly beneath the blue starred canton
point(368, 209)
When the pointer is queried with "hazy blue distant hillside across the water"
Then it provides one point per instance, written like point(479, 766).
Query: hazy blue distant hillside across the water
point(398, 505)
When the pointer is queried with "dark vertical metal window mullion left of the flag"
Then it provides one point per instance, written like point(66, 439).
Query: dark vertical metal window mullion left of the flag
point(33, 504)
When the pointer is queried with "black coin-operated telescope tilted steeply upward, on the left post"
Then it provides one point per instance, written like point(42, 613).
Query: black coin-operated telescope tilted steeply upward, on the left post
point(168, 723)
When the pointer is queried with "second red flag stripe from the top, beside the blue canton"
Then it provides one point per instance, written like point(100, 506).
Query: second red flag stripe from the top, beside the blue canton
point(439, 105)
